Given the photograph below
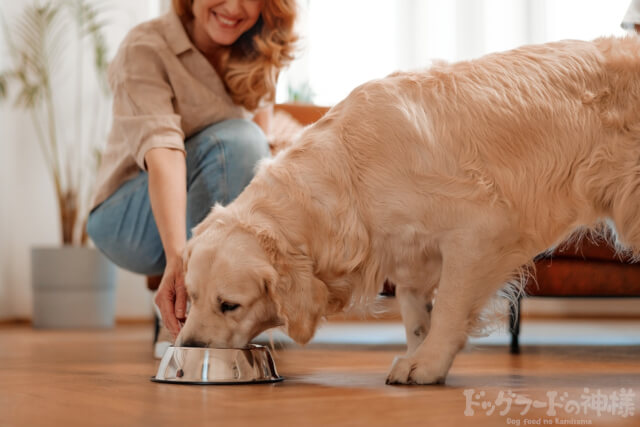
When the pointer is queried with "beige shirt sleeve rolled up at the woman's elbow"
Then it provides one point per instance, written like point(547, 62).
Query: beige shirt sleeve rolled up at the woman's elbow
point(144, 115)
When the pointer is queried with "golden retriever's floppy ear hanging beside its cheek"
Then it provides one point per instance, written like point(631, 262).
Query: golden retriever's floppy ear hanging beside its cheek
point(301, 300)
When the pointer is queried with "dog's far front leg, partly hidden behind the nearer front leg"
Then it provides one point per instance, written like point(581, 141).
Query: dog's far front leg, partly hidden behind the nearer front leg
point(415, 307)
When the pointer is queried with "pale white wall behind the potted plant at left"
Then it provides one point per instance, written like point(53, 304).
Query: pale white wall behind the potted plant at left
point(28, 214)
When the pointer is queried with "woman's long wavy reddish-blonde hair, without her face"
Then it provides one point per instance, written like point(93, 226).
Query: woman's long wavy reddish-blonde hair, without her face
point(250, 66)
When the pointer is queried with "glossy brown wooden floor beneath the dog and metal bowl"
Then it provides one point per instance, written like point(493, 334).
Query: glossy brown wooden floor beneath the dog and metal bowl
point(50, 378)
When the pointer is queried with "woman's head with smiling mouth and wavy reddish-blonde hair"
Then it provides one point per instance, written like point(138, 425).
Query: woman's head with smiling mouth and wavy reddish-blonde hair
point(249, 42)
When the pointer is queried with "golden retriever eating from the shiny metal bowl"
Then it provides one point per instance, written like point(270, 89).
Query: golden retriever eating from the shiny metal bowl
point(448, 180)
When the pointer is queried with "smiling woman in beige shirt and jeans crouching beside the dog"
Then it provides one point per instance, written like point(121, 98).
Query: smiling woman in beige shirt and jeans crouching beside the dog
point(185, 85)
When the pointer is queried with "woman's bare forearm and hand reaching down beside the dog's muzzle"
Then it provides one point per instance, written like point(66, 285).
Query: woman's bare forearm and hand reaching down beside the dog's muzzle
point(168, 196)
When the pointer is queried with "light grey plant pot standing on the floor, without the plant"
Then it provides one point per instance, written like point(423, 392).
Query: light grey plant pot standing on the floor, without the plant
point(73, 287)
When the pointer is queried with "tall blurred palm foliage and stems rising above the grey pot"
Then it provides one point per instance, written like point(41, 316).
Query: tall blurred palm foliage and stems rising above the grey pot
point(39, 42)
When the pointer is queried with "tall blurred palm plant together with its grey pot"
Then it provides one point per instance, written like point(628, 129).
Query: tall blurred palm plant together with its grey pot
point(64, 91)
